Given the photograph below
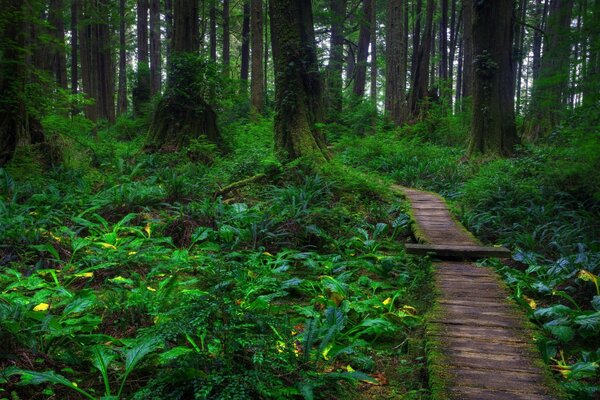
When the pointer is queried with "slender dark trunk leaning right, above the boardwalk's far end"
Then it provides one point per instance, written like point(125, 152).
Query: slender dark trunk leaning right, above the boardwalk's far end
point(420, 79)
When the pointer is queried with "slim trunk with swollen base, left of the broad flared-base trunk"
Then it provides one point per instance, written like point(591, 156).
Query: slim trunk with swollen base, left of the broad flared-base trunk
point(143, 86)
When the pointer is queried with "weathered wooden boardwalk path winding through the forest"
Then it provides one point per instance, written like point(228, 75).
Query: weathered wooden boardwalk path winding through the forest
point(478, 343)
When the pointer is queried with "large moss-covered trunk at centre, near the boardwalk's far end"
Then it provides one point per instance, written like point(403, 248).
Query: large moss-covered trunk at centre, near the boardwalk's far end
point(298, 97)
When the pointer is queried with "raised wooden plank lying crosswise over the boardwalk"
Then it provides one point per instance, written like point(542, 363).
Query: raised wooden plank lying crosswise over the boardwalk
point(463, 252)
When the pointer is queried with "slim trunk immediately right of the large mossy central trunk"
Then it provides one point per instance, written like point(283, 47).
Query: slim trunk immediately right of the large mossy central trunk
point(334, 81)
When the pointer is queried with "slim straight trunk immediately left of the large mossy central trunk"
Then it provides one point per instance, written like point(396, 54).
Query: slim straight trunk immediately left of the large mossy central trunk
point(257, 90)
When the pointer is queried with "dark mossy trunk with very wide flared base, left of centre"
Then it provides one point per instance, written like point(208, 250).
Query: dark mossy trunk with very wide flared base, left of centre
point(182, 114)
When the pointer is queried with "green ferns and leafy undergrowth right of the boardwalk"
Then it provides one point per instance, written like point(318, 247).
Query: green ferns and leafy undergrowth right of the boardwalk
point(544, 204)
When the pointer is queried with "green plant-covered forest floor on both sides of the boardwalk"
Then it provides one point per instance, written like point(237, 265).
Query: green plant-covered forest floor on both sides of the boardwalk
point(125, 274)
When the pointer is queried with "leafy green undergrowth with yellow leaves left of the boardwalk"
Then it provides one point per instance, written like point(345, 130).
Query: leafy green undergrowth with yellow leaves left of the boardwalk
point(123, 276)
